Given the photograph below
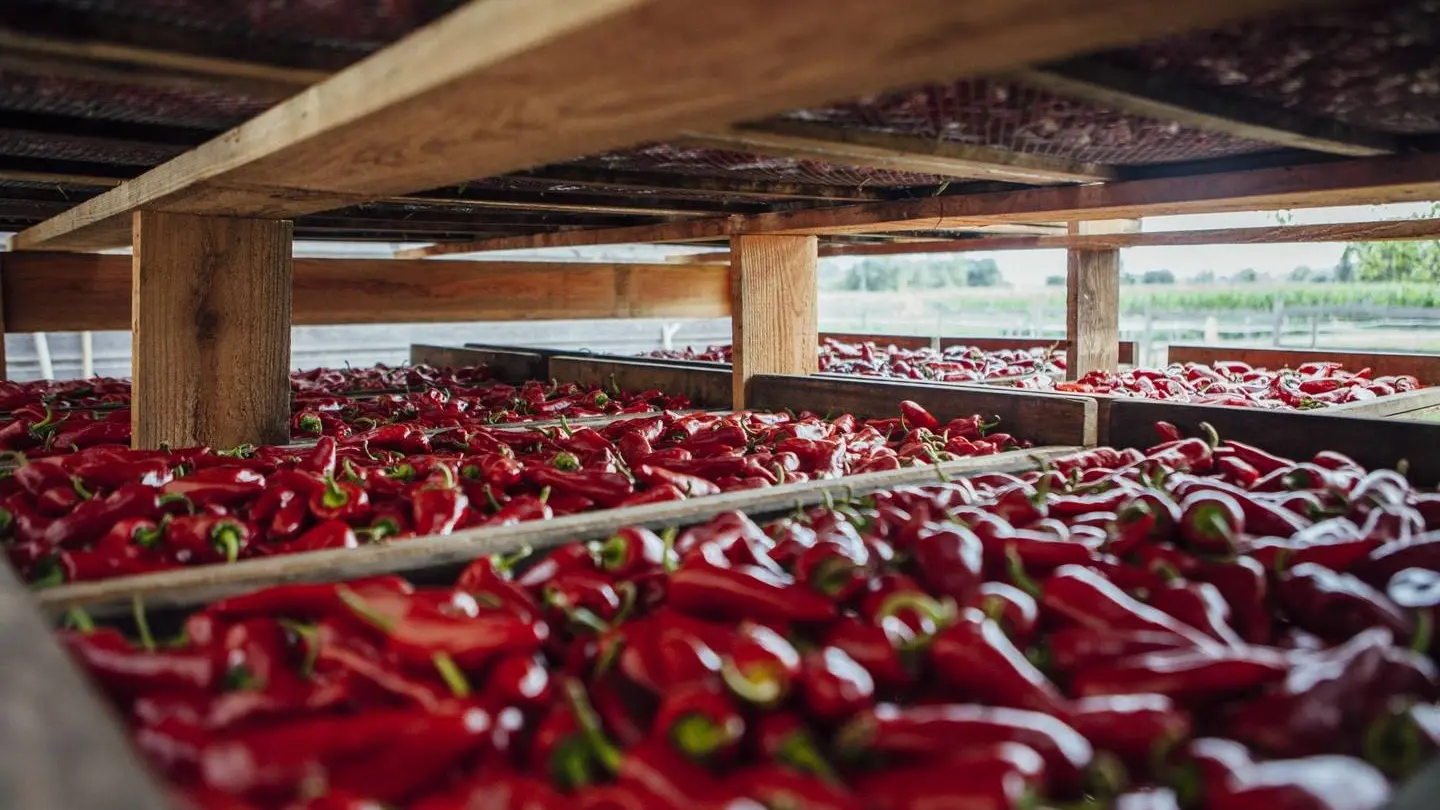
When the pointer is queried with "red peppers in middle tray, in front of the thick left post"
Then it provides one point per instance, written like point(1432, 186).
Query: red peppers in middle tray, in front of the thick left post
point(112, 512)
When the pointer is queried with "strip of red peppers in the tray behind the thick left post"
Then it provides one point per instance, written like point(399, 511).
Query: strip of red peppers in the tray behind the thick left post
point(51, 430)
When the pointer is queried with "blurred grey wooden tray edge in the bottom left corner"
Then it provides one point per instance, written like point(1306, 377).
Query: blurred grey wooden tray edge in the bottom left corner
point(64, 747)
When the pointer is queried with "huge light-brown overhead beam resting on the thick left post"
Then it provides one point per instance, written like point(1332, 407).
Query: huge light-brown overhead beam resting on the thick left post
point(499, 87)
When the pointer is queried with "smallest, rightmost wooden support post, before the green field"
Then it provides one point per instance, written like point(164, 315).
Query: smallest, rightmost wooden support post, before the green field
point(1094, 302)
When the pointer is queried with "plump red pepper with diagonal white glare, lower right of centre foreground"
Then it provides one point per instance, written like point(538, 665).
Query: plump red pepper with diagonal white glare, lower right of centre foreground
point(977, 658)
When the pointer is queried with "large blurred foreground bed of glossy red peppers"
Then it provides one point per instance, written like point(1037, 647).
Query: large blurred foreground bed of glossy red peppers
point(1199, 626)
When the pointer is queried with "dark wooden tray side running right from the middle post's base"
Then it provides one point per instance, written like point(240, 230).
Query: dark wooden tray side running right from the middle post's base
point(1045, 419)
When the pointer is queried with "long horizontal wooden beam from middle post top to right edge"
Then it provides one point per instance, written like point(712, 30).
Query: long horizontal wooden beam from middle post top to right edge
point(1370, 181)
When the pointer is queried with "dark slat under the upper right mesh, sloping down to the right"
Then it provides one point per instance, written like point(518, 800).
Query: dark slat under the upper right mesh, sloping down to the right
point(1161, 97)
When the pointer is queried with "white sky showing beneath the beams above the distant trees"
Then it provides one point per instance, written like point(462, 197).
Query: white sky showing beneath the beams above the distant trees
point(1030, 269)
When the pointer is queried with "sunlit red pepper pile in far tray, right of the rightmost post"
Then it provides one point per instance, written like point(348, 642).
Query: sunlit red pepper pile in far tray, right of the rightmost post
point(1310, 386)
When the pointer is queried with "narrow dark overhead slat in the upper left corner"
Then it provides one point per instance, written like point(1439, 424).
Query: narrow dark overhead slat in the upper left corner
point(89, 60)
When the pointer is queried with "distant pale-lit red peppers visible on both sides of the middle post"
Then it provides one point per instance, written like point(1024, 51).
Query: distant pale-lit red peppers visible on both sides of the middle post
point(955, 364)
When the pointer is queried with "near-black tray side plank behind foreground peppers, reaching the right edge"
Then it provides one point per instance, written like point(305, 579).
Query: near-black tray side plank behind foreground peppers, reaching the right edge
point(1374, 443)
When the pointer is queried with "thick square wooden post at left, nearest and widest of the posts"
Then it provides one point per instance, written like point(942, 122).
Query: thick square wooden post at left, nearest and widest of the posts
point(212, 313)
